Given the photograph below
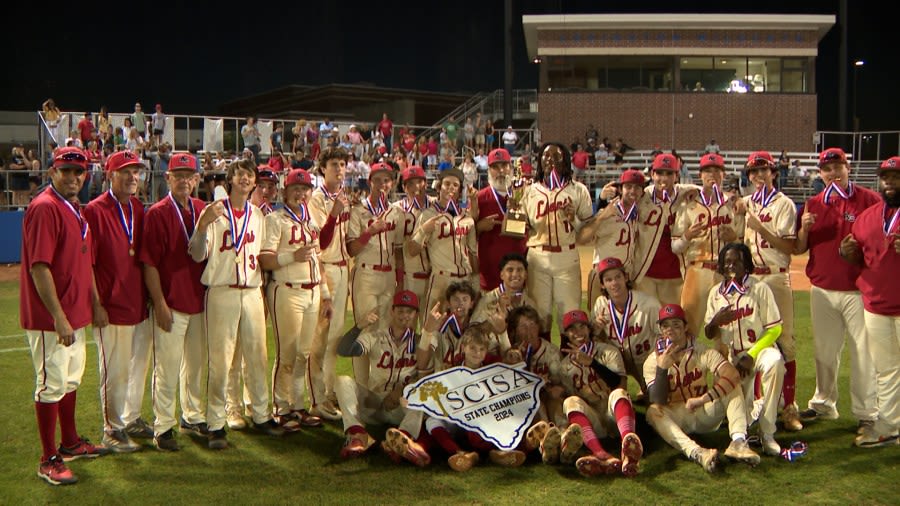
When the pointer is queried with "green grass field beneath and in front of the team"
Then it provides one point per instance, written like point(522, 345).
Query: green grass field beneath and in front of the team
point(305, 467)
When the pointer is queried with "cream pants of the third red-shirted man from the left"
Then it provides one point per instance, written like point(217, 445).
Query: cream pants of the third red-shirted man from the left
point(179, 357)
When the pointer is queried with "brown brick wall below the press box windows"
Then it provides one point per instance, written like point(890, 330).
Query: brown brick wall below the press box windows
point(739, 122)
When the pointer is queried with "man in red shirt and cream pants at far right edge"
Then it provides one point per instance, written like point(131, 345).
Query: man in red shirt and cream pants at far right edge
point(875, 245)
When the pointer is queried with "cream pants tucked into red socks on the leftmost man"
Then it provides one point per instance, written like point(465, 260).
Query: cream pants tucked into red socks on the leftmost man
point(57, 369)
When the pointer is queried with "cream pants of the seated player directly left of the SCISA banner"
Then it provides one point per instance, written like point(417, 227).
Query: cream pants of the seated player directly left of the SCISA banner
point(361, 406)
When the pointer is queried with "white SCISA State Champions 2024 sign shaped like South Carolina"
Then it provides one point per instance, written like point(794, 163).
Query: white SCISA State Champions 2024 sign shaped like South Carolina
point(497, 401)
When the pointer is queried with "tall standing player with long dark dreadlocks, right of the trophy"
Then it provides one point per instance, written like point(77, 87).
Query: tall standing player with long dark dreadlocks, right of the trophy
point(554, 205)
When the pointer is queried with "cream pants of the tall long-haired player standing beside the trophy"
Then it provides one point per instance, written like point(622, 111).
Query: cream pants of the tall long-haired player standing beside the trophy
point(554, 277)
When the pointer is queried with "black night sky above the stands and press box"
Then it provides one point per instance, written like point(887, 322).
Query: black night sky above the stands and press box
point(194, 58)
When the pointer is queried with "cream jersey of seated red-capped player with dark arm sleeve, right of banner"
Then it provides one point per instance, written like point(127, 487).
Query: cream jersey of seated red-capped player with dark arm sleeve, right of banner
point(583, 381)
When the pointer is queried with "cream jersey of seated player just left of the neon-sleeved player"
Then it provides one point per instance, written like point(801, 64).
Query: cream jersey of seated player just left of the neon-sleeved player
point(687, 377)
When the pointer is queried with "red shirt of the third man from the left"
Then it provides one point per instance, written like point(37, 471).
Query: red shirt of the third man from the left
point(167, 231)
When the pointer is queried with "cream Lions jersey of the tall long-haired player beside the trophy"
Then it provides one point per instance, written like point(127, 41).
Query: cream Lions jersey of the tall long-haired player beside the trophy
point(545, 212)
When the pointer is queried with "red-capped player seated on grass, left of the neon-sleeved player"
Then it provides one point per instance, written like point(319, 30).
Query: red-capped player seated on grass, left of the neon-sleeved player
point(681, 401)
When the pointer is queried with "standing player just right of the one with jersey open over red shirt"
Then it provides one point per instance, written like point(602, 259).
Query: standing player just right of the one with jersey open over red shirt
point(699, 232)
